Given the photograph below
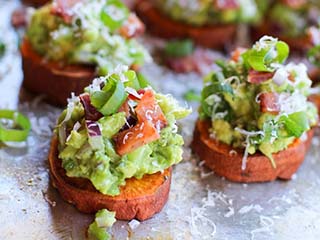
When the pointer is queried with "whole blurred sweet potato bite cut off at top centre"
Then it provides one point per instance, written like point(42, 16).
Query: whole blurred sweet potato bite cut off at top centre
point(208, 23)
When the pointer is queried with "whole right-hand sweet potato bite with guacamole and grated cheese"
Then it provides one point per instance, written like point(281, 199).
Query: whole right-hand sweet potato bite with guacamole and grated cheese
point(255, 120)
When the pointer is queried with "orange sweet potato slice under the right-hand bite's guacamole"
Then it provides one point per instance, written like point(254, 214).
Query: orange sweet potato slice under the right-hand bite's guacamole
point(221, 160)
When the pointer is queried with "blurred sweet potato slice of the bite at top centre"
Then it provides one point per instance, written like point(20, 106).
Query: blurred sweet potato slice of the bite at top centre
point(213, 36)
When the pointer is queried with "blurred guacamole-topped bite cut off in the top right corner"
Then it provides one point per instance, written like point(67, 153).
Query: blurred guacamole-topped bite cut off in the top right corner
point(290, 21)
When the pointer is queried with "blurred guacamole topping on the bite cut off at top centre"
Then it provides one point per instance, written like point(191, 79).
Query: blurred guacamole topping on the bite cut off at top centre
point(202, 12)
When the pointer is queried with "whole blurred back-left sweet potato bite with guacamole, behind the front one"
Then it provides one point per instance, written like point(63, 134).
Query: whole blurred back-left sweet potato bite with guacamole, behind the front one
point(68, 43)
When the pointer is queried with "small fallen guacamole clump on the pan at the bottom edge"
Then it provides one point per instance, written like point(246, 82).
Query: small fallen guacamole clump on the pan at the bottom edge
point(98, 229)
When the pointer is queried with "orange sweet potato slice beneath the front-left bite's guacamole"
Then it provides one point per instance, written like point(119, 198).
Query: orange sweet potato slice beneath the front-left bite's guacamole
point(139, 199)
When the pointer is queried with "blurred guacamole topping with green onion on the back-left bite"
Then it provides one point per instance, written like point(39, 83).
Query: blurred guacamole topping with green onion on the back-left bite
point(95, 32)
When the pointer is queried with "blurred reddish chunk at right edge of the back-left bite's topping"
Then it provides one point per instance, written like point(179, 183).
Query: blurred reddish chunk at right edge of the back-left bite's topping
point(133, 27)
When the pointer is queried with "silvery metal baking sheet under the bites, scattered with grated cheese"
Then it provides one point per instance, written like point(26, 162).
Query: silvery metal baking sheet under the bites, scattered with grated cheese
point(201, 204)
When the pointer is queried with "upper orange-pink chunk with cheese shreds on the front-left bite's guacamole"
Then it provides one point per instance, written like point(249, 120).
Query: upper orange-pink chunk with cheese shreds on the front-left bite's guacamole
point(149, 110)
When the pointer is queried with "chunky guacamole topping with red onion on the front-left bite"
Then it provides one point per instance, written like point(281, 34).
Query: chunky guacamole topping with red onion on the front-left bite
point(117, 129)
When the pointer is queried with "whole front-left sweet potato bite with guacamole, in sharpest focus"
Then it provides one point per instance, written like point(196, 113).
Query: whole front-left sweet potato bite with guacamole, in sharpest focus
point(114, 146)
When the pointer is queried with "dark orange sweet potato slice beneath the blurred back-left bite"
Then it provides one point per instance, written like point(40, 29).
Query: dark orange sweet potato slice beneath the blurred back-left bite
point(51, 79)
